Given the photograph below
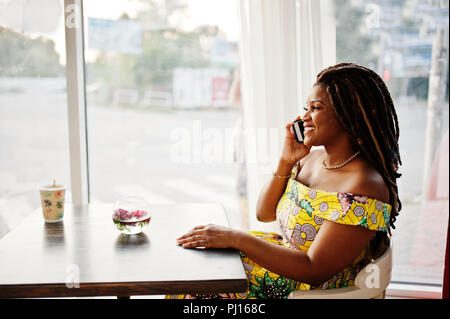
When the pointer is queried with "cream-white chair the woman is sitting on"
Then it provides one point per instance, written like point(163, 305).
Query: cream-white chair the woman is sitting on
point(370, 283)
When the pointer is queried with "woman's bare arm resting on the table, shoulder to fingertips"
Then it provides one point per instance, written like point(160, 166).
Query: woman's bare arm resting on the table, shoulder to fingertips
point(334, 247)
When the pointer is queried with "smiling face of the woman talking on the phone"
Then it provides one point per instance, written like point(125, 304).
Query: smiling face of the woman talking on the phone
point(321, 124)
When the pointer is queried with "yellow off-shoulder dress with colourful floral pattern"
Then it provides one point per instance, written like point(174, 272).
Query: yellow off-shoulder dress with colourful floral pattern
point(300, 214)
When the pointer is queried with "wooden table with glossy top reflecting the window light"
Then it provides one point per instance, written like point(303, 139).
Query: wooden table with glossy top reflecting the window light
point(44, 260)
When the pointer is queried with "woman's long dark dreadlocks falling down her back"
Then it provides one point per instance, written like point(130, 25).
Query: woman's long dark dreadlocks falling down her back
point(363, 105)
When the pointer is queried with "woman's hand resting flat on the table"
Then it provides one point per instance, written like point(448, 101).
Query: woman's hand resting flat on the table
point(208, 236)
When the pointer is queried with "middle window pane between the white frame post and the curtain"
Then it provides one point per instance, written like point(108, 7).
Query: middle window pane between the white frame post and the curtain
point(158, 76)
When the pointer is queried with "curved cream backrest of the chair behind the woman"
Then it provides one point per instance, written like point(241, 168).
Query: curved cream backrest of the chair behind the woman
point(377, 274)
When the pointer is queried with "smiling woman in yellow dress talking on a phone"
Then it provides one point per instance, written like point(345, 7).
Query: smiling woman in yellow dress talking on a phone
point(334, 205)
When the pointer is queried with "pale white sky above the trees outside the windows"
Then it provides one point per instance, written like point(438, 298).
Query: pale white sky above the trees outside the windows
point(20, 15)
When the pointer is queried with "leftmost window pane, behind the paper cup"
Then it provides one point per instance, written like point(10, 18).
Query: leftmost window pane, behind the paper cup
point(33, 106)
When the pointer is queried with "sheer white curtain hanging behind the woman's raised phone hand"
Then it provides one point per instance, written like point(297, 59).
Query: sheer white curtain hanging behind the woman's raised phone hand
point(283, 45)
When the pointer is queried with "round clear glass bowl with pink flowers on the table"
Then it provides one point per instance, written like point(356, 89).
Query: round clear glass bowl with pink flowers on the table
point(131, 215)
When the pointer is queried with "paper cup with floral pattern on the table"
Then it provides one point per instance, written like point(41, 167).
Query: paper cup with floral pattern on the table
point(52, 201)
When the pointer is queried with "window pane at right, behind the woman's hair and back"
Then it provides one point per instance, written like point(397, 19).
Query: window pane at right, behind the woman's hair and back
point(395, 38)
